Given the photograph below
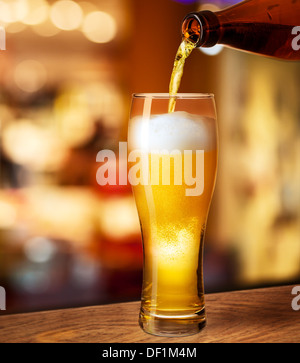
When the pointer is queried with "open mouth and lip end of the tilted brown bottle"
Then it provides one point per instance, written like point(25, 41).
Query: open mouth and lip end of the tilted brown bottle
point(201, 28)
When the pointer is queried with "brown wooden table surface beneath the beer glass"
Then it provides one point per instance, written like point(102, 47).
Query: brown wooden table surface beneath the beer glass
point(260, 315)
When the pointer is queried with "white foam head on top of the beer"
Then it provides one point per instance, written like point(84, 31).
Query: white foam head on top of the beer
point(172, 131)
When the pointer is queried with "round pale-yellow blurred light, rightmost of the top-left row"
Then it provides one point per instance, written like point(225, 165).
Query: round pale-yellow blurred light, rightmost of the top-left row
point(99, 27)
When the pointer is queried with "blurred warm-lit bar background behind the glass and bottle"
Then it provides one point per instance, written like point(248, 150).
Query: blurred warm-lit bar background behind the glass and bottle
point(66, 77)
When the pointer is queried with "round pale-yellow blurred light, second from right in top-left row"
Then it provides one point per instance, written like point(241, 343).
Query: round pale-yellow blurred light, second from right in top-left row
point(66, 15)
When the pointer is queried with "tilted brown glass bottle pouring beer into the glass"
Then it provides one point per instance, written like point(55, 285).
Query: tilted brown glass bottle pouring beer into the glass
point(267, 27)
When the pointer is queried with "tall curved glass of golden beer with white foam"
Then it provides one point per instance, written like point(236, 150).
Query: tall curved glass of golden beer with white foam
point(173, 162)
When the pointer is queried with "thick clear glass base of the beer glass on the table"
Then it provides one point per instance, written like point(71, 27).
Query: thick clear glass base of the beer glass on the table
point(172, 326)
